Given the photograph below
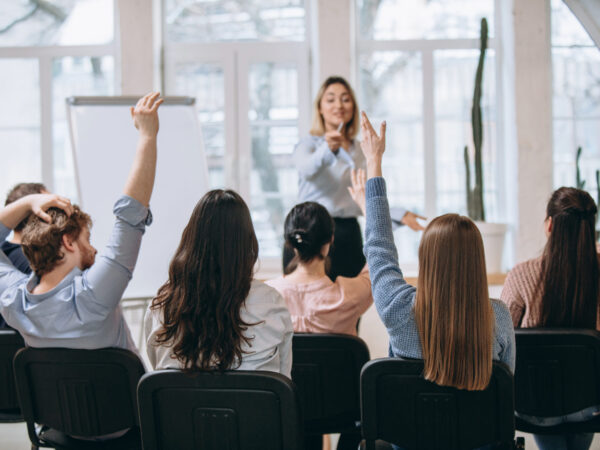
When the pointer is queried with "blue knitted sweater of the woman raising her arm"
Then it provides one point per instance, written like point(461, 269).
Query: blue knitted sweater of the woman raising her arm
point(394, 298)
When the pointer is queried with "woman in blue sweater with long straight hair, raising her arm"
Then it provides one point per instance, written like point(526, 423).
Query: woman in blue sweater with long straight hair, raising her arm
point(449, 320)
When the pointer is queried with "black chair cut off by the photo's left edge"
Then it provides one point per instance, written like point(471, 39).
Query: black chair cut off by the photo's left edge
point(10, 343)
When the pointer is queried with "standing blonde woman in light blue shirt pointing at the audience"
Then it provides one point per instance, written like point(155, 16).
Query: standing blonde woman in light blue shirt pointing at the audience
point(324, 161)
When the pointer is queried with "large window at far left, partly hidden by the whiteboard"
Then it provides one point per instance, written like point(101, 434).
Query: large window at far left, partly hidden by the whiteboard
point(49, 50)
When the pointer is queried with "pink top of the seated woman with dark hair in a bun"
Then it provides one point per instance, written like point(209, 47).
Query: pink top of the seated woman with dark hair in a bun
point(324, 306)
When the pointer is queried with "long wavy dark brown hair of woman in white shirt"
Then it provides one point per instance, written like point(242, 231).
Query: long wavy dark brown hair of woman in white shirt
point(209, 280)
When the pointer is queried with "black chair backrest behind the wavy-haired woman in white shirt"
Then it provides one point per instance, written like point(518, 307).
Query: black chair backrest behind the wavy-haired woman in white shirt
point(233, 410)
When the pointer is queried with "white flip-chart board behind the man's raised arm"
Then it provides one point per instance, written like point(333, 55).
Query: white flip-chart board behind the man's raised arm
point(104, 142)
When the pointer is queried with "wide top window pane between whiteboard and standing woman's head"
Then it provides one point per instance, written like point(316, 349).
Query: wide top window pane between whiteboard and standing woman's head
point(235, 20)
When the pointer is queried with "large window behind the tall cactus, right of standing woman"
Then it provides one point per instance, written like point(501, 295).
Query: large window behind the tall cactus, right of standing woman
point(416, 69)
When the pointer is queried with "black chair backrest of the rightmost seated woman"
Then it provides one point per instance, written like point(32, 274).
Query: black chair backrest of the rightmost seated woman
point(557, 371)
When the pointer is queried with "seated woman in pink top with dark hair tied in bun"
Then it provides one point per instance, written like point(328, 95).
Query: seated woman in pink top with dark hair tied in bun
point(317, 304)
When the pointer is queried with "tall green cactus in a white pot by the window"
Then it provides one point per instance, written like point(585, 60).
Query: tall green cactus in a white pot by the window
point(492, 233)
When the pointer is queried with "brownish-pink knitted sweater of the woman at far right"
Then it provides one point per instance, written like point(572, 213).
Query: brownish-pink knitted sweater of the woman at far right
point(523, 296)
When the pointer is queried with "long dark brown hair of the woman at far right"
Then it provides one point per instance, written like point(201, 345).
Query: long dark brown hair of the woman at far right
point(570, 276)
